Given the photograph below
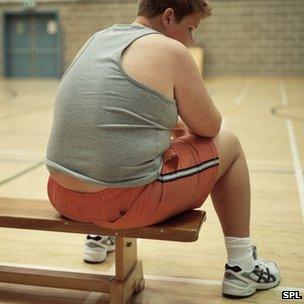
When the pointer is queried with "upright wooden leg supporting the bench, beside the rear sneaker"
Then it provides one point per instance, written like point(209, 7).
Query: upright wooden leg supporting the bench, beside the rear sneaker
point(129, 272)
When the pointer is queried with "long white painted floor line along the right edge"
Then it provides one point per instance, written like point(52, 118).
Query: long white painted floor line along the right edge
point(294, 151)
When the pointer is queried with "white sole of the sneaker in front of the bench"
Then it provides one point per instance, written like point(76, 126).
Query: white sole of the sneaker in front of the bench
point(237, 292)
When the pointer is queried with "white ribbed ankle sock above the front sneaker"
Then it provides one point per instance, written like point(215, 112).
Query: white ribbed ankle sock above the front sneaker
point(240, 253)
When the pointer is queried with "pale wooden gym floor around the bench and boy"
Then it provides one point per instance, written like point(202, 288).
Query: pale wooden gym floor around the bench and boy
point(176, 273)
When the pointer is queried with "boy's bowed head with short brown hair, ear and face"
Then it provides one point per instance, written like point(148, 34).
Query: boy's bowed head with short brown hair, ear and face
point(174, 18)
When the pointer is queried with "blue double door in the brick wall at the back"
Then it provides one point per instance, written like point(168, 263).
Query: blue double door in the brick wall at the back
point(32, 46)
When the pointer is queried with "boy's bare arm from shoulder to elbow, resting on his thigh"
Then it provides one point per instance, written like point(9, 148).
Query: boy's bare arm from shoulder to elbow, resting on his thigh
point(195, 105)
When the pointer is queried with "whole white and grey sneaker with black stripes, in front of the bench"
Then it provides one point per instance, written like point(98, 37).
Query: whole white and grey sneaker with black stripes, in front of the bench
point(238, 283)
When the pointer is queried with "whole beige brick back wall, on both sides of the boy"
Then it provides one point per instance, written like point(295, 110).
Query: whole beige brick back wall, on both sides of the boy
point(243, 37)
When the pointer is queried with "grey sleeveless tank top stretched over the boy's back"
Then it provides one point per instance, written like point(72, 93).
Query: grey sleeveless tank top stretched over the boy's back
point(109, 129)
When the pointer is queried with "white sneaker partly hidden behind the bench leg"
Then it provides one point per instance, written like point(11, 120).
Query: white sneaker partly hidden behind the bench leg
point(96, 248)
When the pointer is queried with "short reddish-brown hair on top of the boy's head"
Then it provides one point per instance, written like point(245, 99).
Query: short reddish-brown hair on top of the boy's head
point(182, 8)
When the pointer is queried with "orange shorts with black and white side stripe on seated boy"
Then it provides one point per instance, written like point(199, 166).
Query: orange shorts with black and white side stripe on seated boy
point(187, 177)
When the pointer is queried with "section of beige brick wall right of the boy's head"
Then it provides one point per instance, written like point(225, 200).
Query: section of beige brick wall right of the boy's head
point(254, 37)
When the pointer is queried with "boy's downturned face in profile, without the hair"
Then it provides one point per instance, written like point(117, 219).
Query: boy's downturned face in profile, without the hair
point(183, 30)
